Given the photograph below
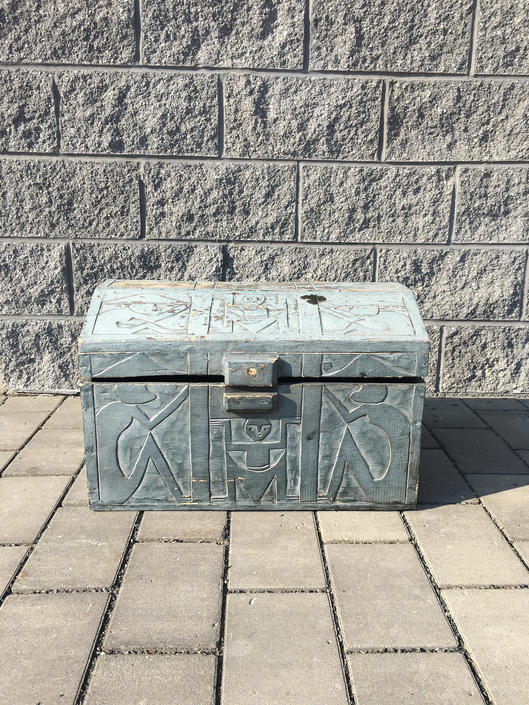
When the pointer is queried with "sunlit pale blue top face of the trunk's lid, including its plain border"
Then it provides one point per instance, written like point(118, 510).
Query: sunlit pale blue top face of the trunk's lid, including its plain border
point(141, 317)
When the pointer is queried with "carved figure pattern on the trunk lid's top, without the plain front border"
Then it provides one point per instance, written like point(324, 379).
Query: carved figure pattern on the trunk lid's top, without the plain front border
point(256, 314)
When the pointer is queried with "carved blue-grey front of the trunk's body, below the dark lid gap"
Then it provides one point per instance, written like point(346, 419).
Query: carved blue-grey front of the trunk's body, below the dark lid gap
point(167, 445)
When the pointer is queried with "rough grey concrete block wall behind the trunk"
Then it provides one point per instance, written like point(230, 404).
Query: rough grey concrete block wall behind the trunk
point(267, 139)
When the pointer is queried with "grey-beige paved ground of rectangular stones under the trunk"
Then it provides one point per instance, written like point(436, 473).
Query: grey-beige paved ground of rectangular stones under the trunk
point(430, 607)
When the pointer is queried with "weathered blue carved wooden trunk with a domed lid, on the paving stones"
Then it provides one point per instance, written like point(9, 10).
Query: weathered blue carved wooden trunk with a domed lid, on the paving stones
point(252, 396)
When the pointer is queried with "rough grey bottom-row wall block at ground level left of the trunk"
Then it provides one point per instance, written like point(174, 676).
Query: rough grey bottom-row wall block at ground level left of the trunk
point(53, 343)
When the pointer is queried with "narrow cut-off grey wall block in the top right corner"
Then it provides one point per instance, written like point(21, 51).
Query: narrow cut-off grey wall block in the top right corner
point(502, 38)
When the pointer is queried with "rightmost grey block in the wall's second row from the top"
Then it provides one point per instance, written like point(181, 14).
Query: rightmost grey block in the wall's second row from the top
point(457, 120)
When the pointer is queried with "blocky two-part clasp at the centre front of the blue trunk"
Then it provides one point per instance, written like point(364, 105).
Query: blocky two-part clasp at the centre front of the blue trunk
point(254, 372)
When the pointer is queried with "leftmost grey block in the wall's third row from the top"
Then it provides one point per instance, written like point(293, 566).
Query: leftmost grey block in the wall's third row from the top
point(76, 199)
